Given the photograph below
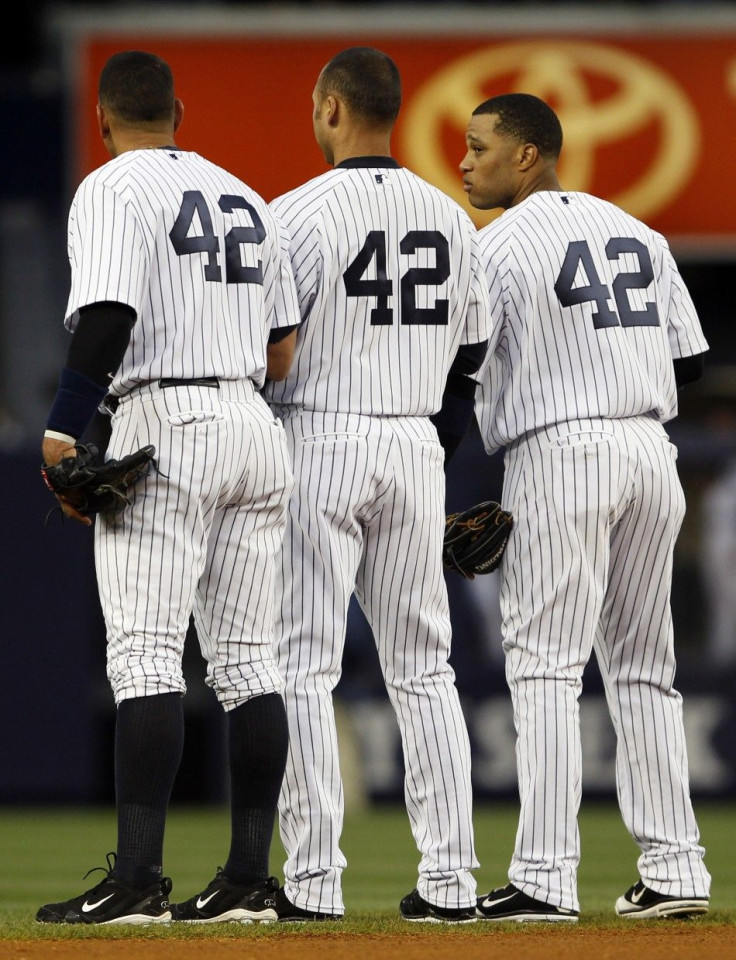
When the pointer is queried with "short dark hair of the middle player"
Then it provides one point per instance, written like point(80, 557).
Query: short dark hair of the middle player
point(367, 80)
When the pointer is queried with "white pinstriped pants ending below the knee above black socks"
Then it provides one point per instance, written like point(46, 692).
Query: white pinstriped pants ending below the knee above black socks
point(201, 536)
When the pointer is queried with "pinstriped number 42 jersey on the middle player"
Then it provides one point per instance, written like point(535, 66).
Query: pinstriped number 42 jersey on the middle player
point(383, 290)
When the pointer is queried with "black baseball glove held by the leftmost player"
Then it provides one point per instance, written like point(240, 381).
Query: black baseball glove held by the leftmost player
point(92, 485)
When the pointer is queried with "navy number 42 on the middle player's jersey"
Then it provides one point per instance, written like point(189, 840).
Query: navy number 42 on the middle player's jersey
point(382, 287)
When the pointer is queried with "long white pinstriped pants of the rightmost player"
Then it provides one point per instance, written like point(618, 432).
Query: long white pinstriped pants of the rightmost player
point(598, 506)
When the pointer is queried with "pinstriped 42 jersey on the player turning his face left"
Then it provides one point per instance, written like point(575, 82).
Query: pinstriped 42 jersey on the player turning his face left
point(592, 311)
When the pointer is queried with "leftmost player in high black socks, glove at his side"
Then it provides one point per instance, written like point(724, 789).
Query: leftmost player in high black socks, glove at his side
point(179, 278)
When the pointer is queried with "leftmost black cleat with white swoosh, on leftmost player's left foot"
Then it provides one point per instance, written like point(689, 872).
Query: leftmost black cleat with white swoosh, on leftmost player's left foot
point(113, 902)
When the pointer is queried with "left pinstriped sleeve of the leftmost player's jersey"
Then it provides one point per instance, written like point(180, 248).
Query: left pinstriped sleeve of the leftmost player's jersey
point(106, 250)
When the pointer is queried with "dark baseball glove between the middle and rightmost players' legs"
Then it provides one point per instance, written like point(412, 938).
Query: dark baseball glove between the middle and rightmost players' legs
point(476, 538)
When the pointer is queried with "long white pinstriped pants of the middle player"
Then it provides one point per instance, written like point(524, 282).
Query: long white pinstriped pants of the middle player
point(367, 516)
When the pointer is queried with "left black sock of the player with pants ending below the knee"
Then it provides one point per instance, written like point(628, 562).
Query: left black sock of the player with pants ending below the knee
point(149, 739)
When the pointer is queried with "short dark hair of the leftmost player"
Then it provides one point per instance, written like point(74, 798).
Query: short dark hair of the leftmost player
point(137, 87)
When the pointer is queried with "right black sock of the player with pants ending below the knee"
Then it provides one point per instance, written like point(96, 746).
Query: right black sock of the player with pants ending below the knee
point(258, 740)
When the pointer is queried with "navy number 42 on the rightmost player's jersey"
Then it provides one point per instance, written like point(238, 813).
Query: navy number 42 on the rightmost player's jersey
point(578, 254)
